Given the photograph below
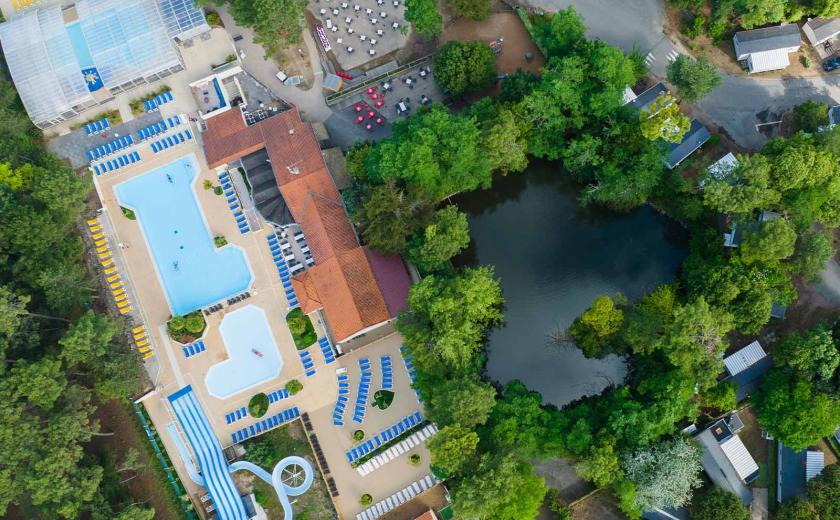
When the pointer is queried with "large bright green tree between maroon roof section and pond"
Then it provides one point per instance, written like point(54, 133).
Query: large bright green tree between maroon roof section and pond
point(448, 317)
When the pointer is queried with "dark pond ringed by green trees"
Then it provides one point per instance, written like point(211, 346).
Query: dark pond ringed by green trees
point(554, 258)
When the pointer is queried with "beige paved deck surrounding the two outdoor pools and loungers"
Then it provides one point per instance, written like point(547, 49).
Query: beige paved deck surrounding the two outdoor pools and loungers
point(174, 370)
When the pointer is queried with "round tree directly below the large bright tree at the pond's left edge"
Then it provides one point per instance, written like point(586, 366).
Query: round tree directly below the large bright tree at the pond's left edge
point(465, 401)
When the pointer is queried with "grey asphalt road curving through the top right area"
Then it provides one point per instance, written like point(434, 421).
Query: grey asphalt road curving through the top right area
point(741, 105)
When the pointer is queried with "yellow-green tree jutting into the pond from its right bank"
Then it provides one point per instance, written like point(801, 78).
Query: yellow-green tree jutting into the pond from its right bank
point(594, 331)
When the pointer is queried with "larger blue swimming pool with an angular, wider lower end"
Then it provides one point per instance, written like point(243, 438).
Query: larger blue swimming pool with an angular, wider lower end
point(193, 272)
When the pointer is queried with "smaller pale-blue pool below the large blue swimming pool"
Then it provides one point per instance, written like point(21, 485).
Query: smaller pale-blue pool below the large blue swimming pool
point(253, 355)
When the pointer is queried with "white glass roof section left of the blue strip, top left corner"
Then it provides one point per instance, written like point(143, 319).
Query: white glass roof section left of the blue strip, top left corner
point(42, 63)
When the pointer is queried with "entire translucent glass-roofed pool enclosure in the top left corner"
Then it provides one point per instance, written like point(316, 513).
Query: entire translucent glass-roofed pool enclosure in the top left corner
point(59, 58)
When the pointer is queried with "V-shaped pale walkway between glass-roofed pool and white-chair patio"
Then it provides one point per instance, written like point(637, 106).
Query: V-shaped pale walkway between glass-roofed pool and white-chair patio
point(310, 102)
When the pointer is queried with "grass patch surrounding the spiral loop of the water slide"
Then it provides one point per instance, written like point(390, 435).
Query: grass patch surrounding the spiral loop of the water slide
point(277, 444)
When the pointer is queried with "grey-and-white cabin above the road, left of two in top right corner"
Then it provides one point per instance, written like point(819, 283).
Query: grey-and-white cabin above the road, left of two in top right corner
point(768, 48)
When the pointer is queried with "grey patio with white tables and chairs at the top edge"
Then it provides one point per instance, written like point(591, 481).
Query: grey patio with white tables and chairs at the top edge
point(359, 31)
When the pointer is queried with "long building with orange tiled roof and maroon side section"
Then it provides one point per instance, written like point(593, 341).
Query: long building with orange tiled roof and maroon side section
point(355, 289)
